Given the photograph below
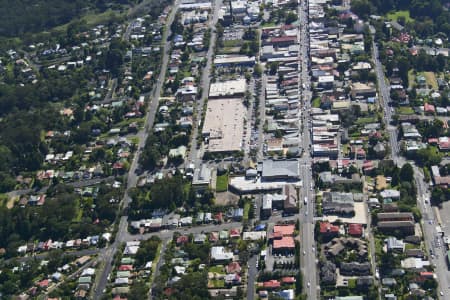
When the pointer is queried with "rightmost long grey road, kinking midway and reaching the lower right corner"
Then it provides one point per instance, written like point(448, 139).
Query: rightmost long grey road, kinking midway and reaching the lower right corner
point(429, 219)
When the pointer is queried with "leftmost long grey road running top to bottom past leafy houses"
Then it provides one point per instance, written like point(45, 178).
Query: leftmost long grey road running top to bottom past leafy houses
point(108, 254)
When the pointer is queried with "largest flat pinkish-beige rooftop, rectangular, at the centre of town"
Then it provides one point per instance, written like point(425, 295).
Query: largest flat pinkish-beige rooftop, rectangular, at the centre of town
point(224, 125)
